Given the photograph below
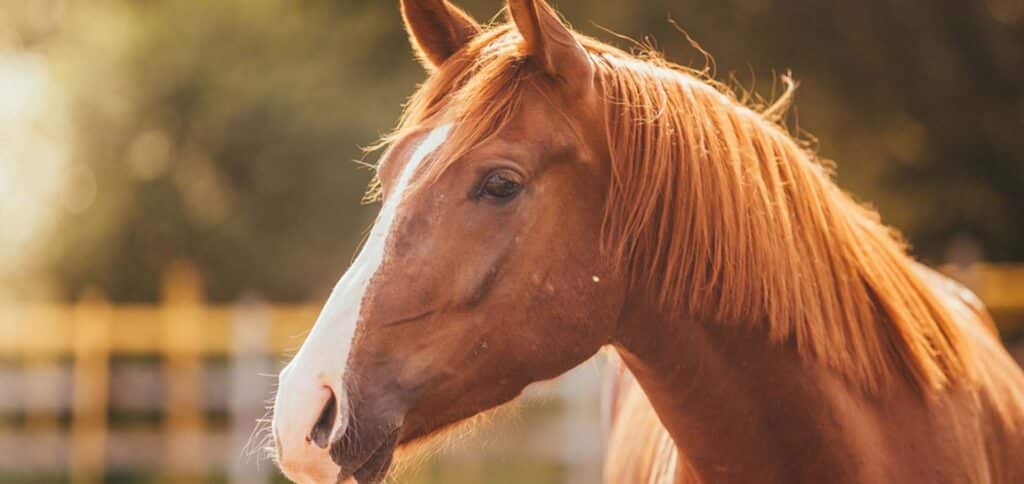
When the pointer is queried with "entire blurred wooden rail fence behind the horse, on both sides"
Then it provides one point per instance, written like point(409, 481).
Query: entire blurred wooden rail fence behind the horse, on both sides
point(183, 333)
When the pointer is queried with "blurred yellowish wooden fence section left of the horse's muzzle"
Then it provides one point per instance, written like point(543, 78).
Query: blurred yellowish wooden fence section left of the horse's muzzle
point(182, 333)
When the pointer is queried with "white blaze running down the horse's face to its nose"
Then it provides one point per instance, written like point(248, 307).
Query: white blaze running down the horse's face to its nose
point(321, 363)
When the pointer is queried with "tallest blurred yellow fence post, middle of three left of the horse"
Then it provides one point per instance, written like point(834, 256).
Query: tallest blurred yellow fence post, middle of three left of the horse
point(183, 326)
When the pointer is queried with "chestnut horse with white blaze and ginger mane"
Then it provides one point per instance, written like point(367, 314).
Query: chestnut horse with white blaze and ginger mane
point(546, 196)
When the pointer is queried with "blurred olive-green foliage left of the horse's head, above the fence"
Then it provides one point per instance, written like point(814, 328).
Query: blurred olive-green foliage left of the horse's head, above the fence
point(225, 134)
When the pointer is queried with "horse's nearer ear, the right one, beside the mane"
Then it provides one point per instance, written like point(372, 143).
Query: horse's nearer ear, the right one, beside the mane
point(550, 41)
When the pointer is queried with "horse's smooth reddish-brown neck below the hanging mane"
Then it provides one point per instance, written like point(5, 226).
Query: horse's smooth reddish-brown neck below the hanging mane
point(733, 401)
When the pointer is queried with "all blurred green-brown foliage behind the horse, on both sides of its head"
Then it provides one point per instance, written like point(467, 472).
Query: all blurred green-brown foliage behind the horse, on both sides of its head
point(224, 133)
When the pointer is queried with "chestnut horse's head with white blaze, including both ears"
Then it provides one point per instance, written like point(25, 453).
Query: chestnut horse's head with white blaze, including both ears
point(483, 273)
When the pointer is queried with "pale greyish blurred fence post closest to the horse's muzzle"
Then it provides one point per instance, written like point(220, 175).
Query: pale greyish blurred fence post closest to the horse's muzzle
point(251, 367)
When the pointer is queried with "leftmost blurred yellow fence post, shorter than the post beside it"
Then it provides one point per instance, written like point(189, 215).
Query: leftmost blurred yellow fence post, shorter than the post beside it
point(92, 347)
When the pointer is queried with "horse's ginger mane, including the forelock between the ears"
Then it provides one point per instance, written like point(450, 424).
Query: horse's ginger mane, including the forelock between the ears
point(722, 214)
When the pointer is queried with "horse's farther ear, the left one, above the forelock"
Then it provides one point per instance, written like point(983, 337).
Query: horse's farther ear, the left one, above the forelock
point(437, 30)
